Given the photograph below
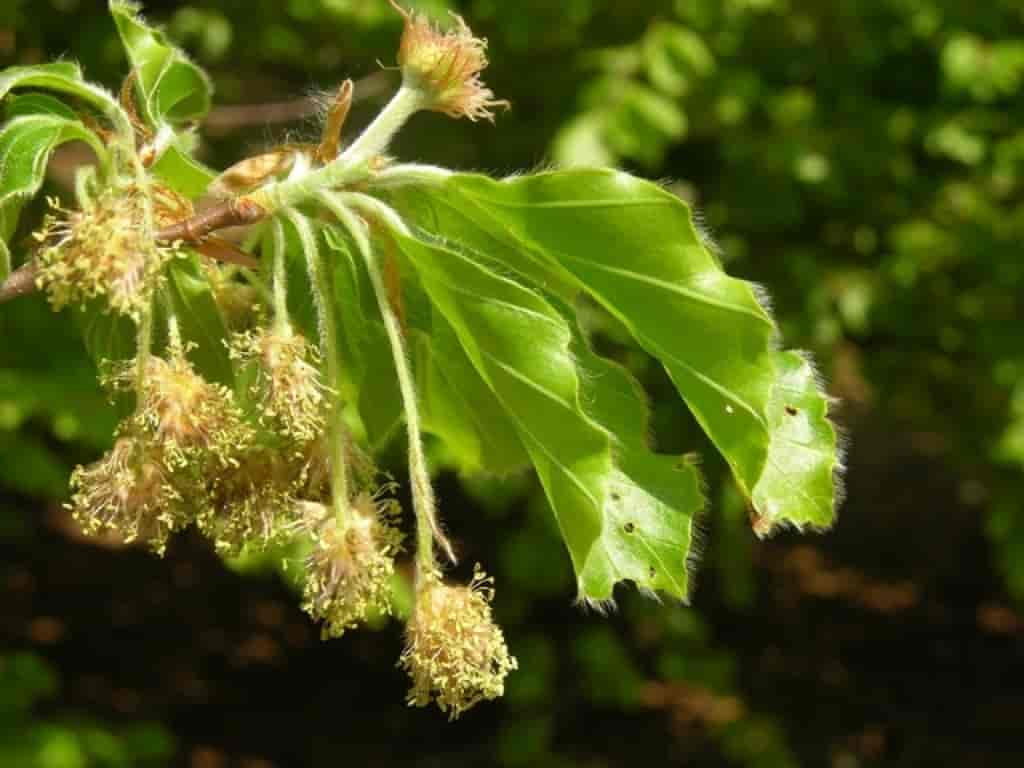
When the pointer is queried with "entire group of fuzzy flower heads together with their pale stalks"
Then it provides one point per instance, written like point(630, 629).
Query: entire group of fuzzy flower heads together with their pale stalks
point(270, 460)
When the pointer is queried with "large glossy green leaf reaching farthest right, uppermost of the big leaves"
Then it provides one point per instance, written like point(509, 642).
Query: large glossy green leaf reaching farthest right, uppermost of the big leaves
point(633, 247)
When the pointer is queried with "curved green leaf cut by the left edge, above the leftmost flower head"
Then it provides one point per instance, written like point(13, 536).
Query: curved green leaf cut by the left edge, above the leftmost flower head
point(26, 145)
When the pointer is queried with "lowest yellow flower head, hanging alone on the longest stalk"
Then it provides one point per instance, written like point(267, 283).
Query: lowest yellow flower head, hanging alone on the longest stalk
point(455, 653)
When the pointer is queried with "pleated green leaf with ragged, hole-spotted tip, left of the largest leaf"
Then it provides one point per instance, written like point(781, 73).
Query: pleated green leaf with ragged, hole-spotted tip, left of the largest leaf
point(619, 519)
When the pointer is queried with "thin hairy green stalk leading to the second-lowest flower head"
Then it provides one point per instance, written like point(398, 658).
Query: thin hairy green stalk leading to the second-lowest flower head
point(329, 351)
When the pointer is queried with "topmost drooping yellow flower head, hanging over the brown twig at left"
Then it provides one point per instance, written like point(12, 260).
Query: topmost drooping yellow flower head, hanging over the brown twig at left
point(105, 250)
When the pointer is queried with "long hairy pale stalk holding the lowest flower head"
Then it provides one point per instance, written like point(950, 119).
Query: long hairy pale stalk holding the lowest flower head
point(424, 504)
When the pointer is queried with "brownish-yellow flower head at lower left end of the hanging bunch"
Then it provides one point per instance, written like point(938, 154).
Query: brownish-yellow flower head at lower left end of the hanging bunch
point(130, 493)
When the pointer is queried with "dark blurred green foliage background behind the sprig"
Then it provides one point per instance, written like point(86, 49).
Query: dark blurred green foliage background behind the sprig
point(863, 159)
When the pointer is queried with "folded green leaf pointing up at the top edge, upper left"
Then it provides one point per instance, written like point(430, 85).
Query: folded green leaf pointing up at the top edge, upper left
point(174, 90)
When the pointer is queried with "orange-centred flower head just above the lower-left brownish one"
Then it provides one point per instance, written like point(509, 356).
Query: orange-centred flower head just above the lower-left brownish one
point(187, 416)
